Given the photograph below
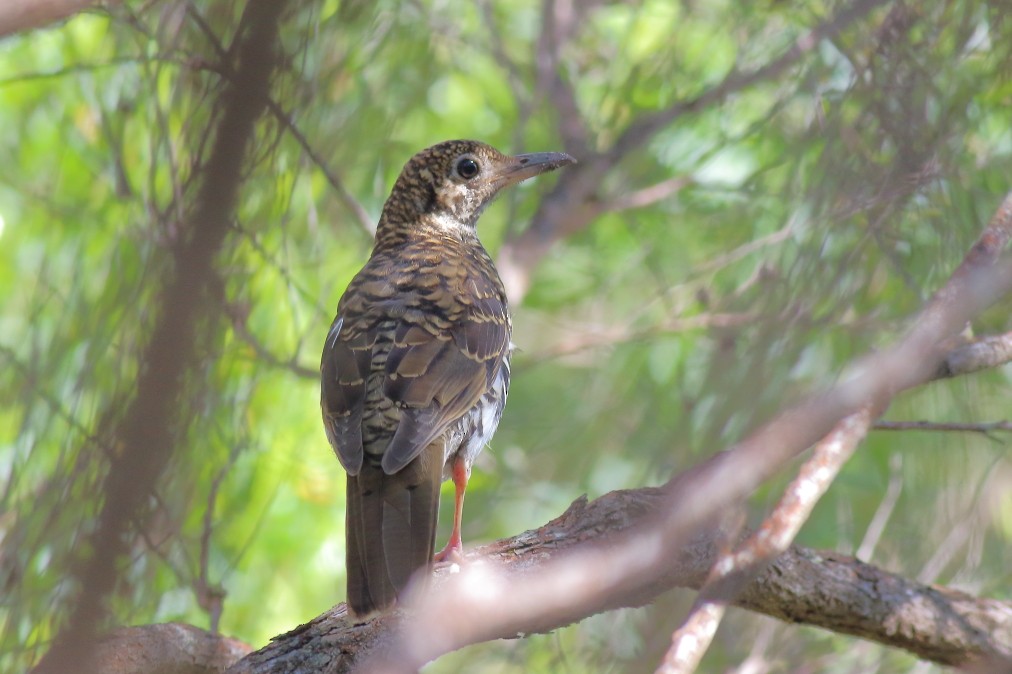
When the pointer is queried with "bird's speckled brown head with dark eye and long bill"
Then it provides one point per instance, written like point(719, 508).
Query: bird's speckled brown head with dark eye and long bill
point(450, 185)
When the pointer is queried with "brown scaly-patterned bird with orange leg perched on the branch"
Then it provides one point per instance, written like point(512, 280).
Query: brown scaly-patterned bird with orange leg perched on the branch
point(415, 368)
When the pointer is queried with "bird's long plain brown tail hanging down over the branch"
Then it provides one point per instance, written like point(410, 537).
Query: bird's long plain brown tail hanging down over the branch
point(391, 527)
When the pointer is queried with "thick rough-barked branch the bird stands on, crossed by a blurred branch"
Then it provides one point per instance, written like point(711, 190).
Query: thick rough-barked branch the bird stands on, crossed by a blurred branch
point(818, 588)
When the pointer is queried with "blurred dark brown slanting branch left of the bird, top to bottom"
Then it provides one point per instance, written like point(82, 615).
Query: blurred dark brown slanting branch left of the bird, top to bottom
point(147, 435)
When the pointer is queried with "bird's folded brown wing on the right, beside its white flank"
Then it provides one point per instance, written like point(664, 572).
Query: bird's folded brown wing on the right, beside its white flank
point(436, 373)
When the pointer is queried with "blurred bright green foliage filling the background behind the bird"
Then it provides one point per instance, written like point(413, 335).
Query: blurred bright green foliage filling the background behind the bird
point(738, 260)
